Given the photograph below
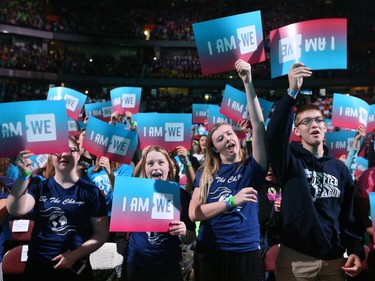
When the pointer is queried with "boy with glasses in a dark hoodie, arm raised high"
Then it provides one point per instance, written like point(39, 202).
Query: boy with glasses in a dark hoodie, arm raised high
point(317, 220)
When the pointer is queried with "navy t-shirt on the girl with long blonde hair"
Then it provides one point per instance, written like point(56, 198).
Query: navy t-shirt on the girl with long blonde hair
point(236, 229)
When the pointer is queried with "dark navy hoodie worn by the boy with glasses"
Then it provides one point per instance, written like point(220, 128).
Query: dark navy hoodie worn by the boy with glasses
point(317, 213)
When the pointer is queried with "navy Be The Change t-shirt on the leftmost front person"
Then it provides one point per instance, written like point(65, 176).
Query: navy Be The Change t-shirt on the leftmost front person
point(62, 217)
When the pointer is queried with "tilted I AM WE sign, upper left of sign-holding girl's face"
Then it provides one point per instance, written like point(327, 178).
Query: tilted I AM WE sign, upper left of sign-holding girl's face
point(113, 142)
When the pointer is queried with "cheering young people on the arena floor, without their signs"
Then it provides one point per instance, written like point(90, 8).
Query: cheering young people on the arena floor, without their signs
point(240, 197)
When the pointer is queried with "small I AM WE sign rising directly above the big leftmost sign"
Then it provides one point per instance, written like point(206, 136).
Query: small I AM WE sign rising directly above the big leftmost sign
point(74, 100)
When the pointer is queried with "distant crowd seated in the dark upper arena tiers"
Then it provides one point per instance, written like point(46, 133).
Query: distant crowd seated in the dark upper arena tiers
point(168, 22)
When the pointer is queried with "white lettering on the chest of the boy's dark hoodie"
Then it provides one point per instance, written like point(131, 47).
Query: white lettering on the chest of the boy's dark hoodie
point(323, 185)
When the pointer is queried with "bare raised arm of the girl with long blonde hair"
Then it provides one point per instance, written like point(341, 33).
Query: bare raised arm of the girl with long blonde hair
point(256, 116)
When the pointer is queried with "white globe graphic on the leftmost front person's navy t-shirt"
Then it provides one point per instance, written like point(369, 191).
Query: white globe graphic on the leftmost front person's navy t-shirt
point(57, 220)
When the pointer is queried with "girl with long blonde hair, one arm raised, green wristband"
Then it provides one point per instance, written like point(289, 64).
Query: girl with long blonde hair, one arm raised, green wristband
point(225, 198)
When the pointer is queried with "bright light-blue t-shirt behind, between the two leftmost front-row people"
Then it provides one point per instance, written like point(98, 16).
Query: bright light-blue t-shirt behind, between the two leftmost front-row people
point(100, 179)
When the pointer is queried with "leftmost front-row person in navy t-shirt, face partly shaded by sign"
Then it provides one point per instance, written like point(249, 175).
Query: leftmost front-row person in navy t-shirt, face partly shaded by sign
point(71, 218)
